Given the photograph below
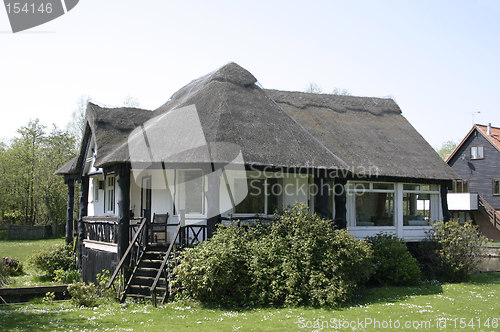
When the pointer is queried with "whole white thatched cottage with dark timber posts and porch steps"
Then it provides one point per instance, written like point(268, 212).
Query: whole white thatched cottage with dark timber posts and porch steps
point(224, 148)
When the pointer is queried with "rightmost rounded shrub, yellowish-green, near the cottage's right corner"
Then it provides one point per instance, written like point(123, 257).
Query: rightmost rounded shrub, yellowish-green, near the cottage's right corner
point(459, 247)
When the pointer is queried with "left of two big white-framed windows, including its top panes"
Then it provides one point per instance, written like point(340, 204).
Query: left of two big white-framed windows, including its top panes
point(374, 203)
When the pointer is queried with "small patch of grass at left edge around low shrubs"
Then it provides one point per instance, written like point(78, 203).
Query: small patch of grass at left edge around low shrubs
point(22, 249)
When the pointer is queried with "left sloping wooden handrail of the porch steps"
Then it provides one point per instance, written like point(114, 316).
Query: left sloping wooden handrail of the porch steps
point(133, 254)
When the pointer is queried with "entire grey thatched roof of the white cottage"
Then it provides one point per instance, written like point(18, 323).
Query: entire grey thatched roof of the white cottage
point(269, 127)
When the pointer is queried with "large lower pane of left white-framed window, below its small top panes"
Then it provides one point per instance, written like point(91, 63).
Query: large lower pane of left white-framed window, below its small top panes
point(375, 209)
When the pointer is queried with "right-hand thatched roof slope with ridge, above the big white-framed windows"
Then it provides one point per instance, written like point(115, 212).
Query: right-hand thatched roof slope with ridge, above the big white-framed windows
point(365, 132)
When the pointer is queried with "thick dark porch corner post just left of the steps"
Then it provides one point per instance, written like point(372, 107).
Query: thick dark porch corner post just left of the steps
point(123, 200)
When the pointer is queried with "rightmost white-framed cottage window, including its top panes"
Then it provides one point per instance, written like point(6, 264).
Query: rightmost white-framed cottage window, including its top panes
point(420, 204)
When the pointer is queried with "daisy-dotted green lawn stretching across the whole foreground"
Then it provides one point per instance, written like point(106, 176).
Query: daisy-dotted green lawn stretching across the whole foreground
point(425, 306)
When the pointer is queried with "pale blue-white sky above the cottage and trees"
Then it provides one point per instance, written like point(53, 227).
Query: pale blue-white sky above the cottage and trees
point(438, 59)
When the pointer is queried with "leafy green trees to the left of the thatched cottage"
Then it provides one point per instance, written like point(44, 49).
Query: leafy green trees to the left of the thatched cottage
point(30, 193)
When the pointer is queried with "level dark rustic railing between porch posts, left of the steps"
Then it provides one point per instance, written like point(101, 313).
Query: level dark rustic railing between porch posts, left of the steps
point(102, 229)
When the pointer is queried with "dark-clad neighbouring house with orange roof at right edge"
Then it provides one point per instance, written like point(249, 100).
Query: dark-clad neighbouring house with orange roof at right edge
point(476, 194)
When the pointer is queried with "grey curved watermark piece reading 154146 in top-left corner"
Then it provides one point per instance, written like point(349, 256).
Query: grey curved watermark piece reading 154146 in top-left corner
point(26, 14)
